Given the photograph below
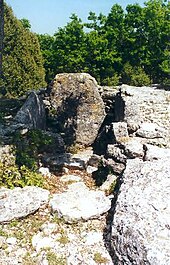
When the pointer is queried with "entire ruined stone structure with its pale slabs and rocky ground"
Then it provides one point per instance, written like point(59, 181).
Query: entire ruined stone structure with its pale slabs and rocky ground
point(130, 132)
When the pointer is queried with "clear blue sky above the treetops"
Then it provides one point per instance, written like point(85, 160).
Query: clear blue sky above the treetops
point(46, 16)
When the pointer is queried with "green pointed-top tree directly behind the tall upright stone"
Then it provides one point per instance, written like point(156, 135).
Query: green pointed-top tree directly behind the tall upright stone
point(69, 47)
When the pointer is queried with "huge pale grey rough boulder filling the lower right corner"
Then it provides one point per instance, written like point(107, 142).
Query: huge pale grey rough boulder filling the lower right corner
point(140, 230)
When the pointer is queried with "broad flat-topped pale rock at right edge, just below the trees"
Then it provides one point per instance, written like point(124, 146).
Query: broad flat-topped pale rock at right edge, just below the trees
point(147, 105)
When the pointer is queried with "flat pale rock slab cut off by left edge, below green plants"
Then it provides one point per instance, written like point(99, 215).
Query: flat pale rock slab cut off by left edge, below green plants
point(20, 202)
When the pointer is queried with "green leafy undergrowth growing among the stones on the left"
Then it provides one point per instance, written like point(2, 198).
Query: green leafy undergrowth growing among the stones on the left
point(22, 171)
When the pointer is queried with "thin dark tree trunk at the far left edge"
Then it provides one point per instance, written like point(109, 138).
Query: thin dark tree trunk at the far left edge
point(1, 35)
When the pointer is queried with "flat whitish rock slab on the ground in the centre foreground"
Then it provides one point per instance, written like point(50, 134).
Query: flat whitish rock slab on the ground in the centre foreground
point(80, 203)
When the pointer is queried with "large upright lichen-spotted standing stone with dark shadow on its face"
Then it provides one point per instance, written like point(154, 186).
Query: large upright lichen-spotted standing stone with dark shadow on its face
point(79, 107)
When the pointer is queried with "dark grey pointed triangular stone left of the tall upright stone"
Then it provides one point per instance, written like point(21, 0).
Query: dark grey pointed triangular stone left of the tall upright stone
point(32, 113)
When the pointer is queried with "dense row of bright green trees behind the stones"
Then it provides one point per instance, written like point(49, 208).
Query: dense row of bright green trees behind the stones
point(138, 36)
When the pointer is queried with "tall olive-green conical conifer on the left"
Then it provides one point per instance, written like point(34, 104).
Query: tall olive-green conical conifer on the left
point(22, 59)
